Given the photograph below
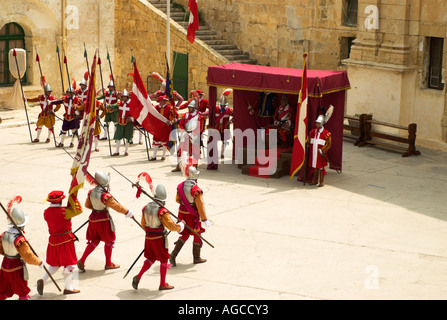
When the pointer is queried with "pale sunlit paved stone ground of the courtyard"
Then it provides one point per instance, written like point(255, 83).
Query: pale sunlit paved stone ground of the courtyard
point(376, 231)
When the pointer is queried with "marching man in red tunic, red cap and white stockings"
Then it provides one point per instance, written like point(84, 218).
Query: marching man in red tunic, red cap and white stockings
point(61, 250)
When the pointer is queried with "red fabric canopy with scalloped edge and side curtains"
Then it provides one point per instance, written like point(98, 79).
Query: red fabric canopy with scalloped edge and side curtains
point(247, 81)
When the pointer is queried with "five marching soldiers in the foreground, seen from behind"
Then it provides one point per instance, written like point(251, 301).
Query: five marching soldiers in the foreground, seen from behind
point(61, 253)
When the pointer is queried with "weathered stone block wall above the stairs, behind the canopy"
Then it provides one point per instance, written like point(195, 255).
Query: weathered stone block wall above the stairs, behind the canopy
point(277, 32)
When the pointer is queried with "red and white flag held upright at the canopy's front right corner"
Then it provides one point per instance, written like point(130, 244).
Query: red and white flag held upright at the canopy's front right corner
point(300, 136)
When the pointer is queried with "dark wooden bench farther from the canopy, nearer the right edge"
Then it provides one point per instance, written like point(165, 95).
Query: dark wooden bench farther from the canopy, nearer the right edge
point(367, 125)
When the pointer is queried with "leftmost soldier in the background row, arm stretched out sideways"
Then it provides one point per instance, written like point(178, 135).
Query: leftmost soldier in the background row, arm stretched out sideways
point(46, 116)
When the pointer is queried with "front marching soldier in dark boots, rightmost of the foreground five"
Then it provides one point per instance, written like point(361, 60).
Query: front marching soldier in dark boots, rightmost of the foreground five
point(192, 211)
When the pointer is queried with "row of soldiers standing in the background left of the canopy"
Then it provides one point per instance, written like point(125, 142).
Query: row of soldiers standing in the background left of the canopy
point(113, 108)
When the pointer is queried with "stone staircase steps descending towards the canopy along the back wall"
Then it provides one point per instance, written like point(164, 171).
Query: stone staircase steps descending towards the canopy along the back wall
point(207, 35)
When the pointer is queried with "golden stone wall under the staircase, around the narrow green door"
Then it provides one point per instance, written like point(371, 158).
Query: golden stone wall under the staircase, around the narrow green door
point(143, 28)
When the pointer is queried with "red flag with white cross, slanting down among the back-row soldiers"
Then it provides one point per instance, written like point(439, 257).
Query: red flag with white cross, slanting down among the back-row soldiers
point(142, 109)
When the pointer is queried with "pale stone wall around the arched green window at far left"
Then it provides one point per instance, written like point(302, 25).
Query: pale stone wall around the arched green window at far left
point(68, 23)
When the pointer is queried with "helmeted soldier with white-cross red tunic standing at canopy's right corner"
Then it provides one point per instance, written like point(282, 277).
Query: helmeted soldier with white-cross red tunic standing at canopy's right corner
point(320, 143)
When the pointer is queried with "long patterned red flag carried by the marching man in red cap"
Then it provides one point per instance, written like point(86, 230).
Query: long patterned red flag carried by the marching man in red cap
point(83, 152)
